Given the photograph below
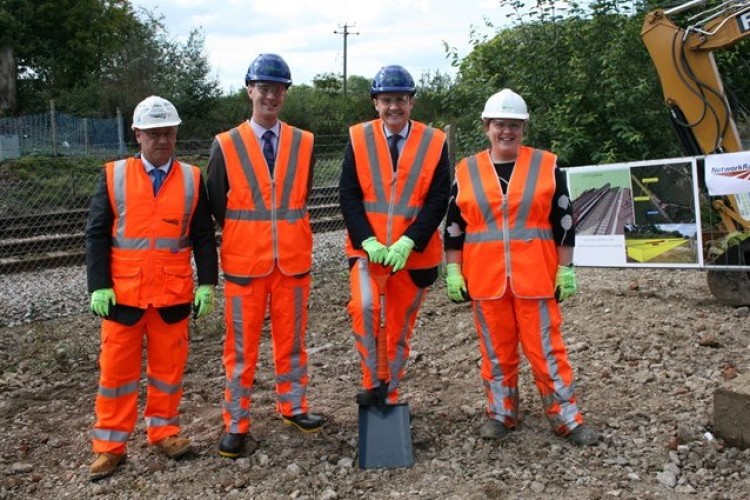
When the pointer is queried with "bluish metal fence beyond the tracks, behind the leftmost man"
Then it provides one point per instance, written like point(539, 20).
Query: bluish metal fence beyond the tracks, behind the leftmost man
point(56, 133)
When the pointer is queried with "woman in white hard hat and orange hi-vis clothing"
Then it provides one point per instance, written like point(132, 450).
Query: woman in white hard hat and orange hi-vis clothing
point(509, 240)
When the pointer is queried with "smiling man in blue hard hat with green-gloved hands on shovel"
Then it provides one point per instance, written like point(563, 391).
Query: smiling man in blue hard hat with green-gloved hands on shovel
point(394, 188)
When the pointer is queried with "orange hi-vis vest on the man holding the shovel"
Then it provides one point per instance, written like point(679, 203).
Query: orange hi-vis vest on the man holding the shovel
point(391, 199)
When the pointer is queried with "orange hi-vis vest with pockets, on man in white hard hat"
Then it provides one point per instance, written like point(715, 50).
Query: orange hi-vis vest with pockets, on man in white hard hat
point(151, 250)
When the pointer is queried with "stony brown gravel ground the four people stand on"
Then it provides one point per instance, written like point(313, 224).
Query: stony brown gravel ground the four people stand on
point(649, 348)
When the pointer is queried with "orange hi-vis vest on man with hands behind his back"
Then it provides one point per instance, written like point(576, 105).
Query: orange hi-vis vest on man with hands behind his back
point(261, 209)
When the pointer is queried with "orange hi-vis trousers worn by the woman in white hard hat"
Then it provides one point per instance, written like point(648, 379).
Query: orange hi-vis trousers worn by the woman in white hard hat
point(501, 324)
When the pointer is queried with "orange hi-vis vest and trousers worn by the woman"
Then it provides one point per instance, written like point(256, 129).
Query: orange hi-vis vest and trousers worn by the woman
point(509, 262)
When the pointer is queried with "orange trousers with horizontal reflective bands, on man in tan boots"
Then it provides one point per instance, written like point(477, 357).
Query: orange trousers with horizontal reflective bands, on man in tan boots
point(120, 364)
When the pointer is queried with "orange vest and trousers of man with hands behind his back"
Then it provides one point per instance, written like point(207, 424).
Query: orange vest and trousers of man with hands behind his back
point(266, 256)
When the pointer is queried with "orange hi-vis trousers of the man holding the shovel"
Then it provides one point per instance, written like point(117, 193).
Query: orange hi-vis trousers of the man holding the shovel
point(402, 299)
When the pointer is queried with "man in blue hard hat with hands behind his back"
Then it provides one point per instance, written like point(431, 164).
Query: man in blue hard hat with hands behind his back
point(259, 178)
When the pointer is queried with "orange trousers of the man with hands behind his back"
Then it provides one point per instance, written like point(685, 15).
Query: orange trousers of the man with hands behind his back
point(246, 307)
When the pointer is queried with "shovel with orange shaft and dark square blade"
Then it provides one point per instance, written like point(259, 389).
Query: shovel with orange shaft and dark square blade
point(384, 430)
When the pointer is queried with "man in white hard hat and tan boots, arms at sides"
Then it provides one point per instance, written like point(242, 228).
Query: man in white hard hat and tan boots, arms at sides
point(149, 214)
